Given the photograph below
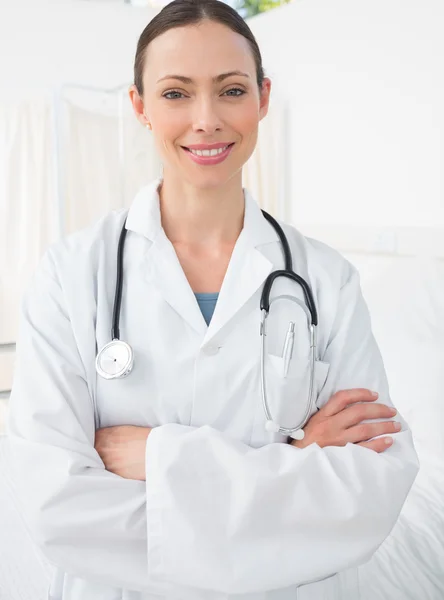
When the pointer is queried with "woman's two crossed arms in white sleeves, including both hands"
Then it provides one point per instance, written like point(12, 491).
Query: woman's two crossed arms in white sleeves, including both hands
point(83, 496)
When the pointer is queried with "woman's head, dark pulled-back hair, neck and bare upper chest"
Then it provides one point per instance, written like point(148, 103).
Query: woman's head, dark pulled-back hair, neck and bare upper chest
point(199, 85)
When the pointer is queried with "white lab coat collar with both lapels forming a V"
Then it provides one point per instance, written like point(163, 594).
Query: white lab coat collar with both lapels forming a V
point(246, 272)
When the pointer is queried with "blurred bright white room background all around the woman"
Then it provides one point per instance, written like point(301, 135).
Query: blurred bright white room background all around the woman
point(352, 153)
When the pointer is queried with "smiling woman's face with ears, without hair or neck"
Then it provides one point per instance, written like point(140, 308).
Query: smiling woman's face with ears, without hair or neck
point(200, 88)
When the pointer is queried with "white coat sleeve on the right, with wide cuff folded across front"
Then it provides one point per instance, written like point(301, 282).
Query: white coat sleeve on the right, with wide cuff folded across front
point(225, 517)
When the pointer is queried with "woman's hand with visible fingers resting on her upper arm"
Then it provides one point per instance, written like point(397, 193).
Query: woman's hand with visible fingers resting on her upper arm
point(339, 421)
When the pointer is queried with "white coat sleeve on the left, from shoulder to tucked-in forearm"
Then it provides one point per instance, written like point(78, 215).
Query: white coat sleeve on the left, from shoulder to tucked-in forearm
point(87, 521)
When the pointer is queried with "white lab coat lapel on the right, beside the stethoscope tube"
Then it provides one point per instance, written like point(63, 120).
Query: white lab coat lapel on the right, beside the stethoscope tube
point(247, 270)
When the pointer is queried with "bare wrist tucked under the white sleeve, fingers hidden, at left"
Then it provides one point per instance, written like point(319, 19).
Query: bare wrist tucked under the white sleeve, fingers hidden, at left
point(122, 449)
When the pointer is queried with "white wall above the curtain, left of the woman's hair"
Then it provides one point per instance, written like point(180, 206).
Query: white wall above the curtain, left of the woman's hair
point(46, 43)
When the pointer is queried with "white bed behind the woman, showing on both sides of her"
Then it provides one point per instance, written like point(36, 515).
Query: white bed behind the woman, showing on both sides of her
point(402, 276)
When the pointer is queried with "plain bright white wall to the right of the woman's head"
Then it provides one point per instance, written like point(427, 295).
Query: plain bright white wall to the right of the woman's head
point(365, 82)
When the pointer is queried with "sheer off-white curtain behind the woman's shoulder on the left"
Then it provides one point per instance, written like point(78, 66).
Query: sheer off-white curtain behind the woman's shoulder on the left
point(56, 180)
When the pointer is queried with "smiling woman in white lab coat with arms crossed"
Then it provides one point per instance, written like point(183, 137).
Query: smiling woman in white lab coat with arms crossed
point(166, 483)
